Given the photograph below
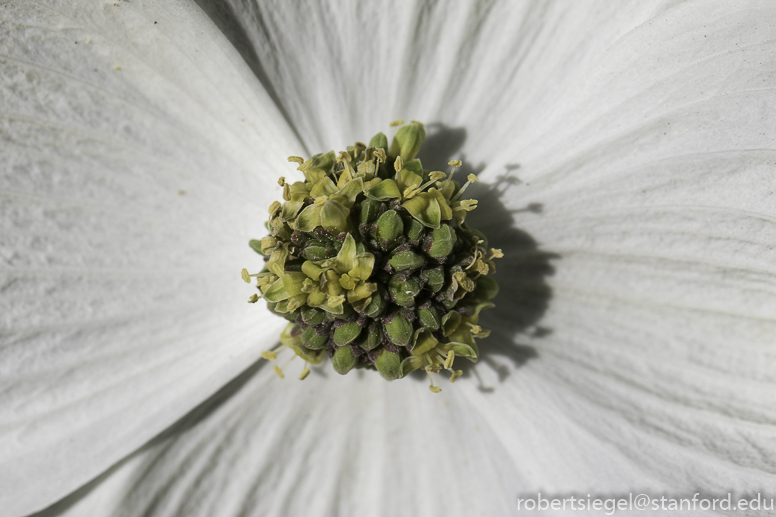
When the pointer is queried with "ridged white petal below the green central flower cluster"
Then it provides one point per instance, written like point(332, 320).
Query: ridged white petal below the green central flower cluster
point(295, 448)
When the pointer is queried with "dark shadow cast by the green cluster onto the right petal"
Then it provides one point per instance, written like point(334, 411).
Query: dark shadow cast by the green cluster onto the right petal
point(524, 294)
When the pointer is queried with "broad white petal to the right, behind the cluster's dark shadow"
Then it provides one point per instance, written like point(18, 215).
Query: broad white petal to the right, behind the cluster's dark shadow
point(654, 171)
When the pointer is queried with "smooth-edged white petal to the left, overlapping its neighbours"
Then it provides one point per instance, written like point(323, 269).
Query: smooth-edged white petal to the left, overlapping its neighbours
point(139, 153)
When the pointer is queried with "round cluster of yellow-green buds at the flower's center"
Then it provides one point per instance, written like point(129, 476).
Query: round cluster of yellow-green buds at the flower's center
point(370, 259)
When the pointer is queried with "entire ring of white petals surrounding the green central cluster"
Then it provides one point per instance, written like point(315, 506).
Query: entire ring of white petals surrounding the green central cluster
point(139, 151)
